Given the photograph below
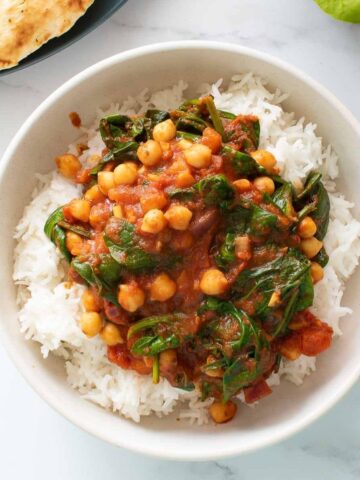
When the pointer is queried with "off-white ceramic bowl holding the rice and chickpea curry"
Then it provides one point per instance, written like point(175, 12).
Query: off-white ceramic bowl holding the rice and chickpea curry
point(48, 131)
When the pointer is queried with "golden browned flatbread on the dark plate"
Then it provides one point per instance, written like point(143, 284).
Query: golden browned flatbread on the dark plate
point(25, 25)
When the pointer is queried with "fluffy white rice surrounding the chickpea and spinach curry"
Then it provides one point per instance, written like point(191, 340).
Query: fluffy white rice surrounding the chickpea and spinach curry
point(49, 311)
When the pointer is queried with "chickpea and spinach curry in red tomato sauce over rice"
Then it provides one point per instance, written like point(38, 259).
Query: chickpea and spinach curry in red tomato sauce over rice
point(199, 259)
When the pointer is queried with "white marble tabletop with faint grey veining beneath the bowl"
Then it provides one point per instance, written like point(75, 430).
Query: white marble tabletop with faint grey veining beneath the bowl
point(35, 442)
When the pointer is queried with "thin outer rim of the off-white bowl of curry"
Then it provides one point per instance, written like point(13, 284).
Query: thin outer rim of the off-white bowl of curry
point(26, 370)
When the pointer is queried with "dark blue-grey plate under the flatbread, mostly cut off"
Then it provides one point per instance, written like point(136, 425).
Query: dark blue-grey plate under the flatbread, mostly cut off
point(99, 11)
